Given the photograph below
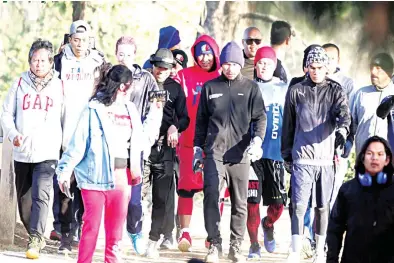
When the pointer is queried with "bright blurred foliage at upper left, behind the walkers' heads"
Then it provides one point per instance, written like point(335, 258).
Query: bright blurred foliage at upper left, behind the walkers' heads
point(24, 22)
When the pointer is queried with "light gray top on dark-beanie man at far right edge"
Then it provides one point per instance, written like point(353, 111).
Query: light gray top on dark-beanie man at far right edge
point(363, 107)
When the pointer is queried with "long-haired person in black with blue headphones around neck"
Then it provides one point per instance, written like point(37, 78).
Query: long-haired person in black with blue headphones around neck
point(364, 209)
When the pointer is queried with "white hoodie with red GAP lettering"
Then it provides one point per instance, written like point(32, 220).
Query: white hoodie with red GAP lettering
point(37, 116)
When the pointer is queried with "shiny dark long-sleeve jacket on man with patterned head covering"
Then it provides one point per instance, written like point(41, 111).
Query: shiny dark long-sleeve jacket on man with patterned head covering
point(311, 115)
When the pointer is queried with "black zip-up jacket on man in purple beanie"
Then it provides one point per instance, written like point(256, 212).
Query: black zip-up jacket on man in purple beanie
point(226, 110)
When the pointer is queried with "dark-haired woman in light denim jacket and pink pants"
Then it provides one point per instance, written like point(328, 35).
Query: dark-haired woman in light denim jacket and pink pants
point(108, 133)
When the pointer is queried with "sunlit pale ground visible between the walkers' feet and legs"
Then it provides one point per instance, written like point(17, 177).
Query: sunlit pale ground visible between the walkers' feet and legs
point(15, 254)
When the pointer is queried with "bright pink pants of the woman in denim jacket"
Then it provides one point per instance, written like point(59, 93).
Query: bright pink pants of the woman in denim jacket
point(115, 203)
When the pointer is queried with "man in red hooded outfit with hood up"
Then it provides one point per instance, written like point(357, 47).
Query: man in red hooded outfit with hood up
point(205, 53)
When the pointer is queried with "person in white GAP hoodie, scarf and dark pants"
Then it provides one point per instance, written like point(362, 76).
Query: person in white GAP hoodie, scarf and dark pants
point(32, 120)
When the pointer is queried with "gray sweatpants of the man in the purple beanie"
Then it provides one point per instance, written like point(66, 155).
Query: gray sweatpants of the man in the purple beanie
point(218, 175)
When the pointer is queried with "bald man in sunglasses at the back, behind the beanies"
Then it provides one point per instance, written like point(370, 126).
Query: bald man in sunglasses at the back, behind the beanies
point(252, 41)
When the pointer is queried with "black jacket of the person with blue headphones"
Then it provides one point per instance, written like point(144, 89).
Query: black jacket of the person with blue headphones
point(366, 214)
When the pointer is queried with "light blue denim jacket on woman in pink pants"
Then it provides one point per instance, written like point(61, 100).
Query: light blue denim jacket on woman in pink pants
point(90, 151)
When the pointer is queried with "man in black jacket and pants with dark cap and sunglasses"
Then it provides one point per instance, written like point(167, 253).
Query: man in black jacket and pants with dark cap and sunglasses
point(160, 165)
